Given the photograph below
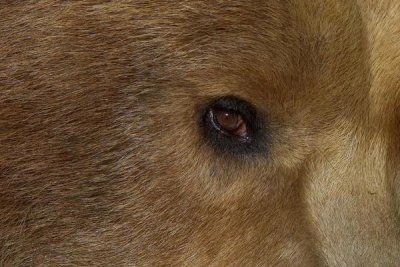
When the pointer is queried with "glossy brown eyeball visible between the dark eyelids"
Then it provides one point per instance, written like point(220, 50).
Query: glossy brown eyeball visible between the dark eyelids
point(229, 122)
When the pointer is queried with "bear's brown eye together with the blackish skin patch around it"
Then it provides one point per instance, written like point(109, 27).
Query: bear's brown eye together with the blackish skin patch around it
point(232, 125)
